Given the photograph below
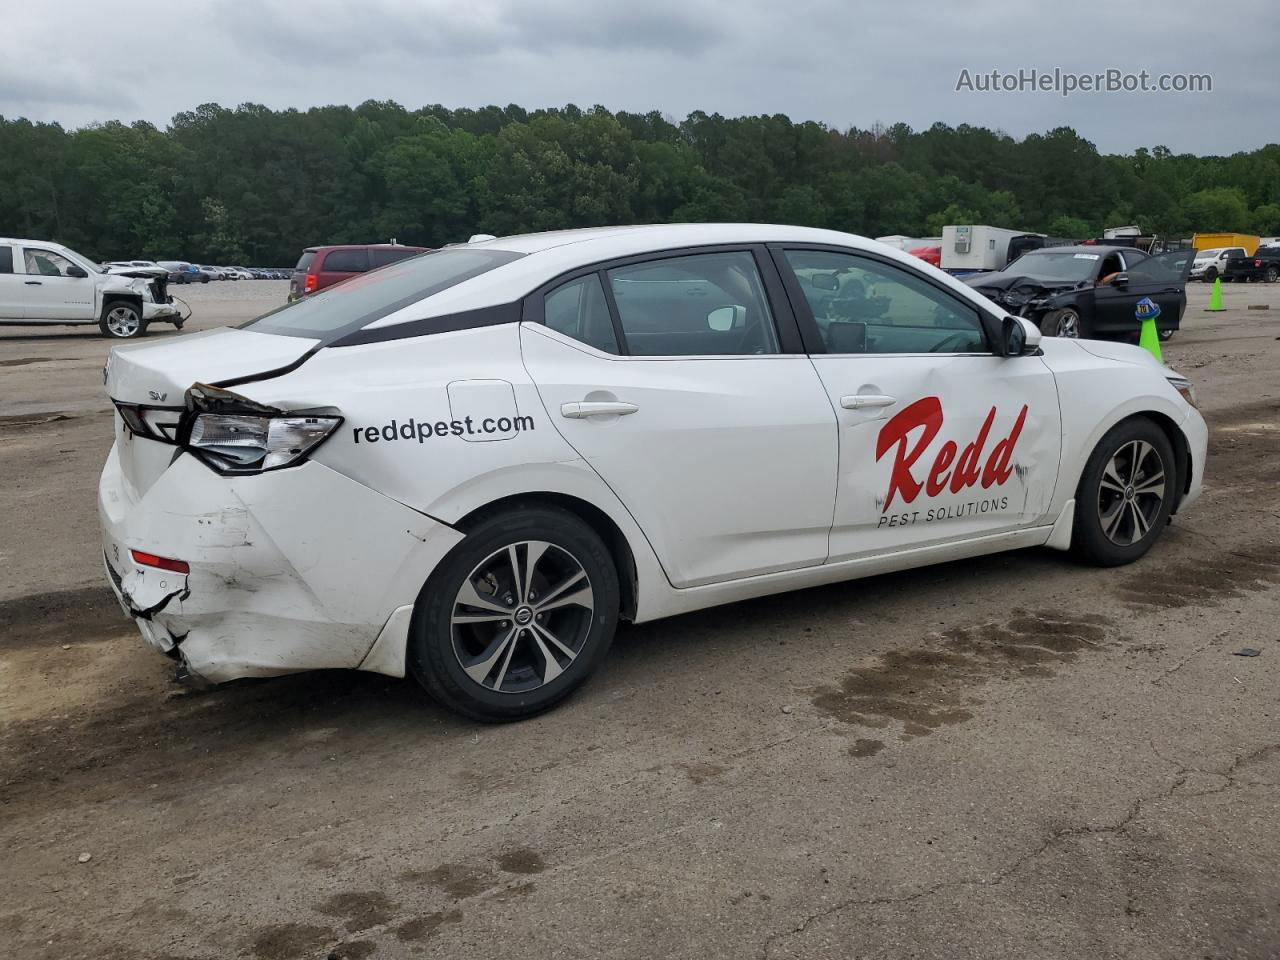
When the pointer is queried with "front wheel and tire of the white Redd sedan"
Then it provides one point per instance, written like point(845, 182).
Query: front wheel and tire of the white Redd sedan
point(1107, 534)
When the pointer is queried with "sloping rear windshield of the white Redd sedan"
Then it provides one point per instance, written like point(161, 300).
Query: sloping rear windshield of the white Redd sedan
point(351, 305)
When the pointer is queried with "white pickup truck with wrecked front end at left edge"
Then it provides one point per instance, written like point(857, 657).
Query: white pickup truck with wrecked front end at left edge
point(47, 284)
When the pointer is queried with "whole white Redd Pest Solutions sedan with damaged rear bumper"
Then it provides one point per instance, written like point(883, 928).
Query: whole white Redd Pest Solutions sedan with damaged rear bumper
point(470, 465)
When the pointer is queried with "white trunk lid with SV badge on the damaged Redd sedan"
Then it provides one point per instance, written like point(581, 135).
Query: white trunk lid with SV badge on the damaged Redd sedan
point(149, 386)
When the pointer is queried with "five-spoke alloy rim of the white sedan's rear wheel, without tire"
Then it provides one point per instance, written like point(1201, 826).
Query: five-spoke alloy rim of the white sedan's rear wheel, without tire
point(522, 618)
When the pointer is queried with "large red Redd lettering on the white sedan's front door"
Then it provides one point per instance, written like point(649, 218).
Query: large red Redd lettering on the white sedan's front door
point(926, 415)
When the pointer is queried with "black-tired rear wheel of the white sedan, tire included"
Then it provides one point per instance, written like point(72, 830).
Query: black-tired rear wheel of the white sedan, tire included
point(523, 680)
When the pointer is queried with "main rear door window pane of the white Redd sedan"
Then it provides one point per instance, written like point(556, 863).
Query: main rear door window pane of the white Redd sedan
point(694, 307)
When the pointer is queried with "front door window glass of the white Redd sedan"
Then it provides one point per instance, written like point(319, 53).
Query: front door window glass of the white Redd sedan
point(865, 307)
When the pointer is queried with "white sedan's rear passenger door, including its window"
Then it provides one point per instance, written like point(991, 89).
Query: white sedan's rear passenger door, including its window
point(682, 381)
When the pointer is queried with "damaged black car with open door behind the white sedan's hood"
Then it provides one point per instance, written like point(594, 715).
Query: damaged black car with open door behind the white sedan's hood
point(1091, 291)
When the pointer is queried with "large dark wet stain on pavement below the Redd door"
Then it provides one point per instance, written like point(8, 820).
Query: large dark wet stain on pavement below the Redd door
point(929, 688)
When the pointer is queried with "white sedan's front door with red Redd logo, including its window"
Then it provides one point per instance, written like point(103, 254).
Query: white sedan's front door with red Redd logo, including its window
point(940, 440)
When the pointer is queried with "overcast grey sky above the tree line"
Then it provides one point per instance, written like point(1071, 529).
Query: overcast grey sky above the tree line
point(840, 62)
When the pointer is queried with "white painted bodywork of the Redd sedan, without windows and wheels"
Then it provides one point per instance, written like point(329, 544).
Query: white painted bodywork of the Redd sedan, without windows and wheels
point(734, 477)
